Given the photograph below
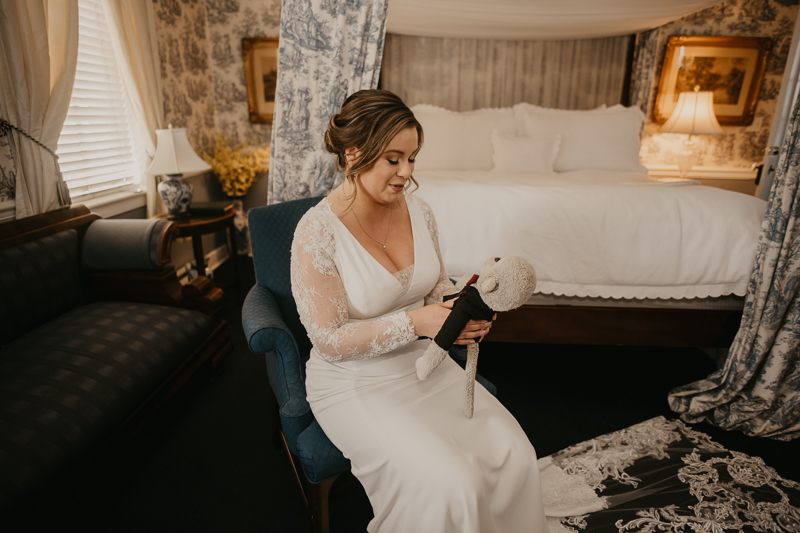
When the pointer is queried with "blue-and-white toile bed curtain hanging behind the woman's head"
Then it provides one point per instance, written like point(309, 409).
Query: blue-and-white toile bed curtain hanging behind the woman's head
point(328, 50)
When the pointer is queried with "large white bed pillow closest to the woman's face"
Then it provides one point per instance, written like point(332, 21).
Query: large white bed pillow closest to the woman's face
point(460, 140)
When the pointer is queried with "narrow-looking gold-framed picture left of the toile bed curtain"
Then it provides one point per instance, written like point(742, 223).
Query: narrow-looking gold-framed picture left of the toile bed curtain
point(260, 56)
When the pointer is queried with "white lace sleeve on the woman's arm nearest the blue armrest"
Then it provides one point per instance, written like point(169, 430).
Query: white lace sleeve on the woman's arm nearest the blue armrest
point(322, 302)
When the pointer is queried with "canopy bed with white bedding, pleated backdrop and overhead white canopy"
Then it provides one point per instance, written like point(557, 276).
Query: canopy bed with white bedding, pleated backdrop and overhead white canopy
point(622, 260)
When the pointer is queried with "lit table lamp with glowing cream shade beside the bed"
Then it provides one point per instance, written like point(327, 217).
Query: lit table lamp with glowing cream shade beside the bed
point(693, 114)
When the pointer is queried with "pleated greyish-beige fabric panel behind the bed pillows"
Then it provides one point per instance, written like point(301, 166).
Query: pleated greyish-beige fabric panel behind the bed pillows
point(466, 74)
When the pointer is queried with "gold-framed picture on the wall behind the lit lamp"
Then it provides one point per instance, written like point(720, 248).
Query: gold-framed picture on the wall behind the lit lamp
point(731, 67)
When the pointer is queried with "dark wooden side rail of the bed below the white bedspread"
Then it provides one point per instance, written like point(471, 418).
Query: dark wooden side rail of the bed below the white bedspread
point(563, 324)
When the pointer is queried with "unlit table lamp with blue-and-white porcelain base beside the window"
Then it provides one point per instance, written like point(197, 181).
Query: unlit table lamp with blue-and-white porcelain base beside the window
point(174, 157)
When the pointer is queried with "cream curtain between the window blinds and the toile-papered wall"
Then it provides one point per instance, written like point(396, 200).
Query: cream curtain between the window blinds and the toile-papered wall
point(133, 36)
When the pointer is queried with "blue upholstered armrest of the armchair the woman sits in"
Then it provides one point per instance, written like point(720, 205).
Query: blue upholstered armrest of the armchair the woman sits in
point(267, 333)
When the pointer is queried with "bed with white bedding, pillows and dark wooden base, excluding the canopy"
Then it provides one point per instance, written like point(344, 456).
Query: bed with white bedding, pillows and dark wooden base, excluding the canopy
point(621, 258)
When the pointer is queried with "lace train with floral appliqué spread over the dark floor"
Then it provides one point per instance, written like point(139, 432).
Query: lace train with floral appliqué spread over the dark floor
point(732, 491)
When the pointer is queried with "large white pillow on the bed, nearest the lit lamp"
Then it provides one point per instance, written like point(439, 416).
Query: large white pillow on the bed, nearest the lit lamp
point(599, 139)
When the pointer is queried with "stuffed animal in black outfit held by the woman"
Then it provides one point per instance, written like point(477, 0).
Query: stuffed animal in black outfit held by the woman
point(504, 284)
